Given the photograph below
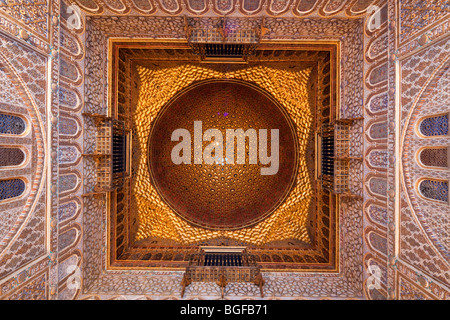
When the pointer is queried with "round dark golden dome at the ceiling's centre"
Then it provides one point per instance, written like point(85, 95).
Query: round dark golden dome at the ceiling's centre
point(238, 150)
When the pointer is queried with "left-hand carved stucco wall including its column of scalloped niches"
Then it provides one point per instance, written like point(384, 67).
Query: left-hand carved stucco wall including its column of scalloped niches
point(41, 80)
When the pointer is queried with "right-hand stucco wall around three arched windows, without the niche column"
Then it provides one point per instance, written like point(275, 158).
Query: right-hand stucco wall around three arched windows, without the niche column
point(419, 46)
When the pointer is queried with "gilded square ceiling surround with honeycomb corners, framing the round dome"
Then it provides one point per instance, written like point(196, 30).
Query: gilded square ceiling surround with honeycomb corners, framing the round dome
point(158, 75)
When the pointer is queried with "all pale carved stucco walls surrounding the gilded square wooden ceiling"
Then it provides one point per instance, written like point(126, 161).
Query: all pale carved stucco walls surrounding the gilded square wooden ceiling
point(391, 74)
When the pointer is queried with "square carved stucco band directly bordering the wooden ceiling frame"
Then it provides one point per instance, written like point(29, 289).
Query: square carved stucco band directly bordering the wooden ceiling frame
point(166, 284)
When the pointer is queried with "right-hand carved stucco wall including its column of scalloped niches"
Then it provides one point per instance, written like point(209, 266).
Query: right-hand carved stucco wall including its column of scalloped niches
point(407, 233)
